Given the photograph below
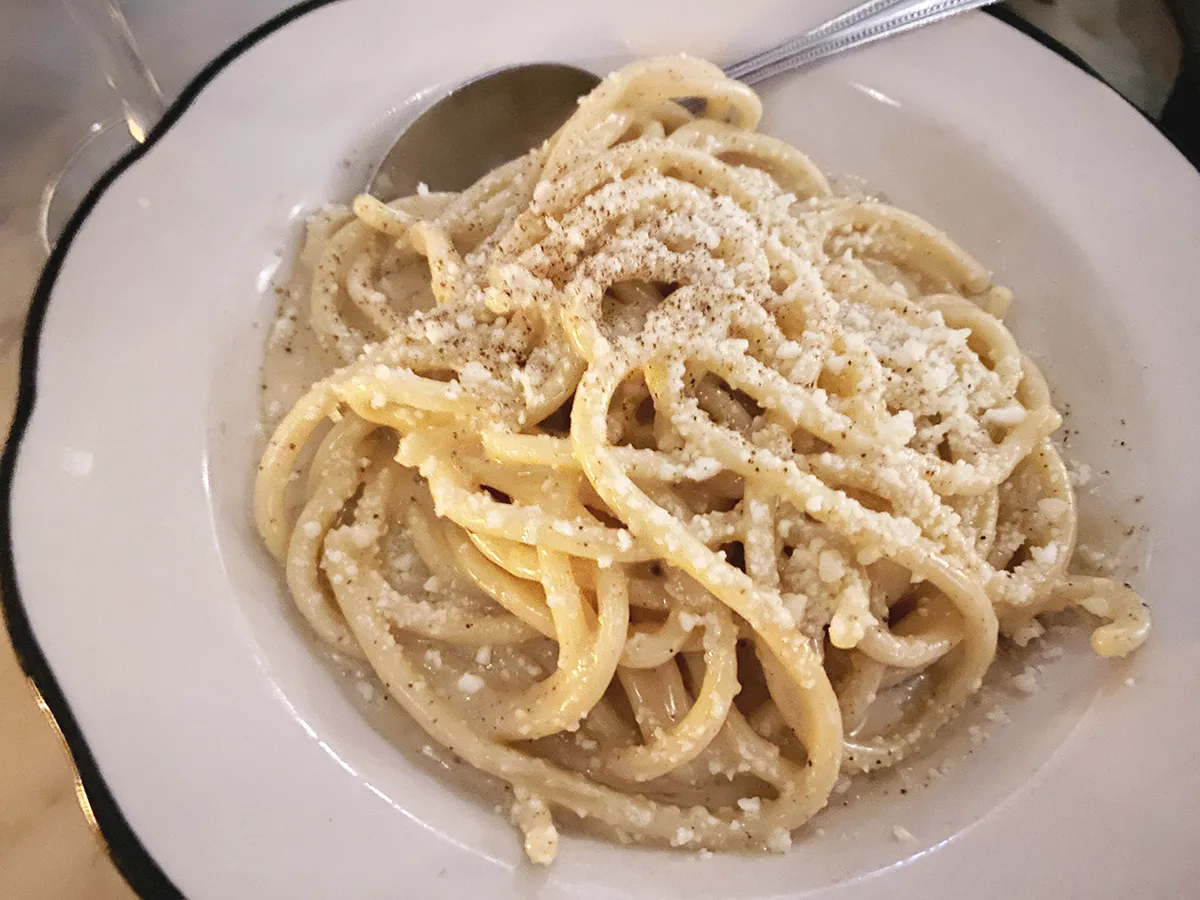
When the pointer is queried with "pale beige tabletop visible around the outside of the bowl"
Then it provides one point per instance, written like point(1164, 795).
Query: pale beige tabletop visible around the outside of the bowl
point(52, 94)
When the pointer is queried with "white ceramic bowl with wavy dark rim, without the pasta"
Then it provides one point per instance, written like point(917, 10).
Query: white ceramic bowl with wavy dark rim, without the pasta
point(225, 760)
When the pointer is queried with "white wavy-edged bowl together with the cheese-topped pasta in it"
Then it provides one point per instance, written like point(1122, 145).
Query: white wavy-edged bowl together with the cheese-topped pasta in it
point(765, 501)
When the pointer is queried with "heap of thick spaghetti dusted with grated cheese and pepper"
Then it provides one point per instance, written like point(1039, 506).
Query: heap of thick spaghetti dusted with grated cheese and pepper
point(641, 470)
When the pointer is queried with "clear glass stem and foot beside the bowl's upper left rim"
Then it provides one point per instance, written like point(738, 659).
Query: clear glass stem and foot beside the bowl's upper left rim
point(104, 26)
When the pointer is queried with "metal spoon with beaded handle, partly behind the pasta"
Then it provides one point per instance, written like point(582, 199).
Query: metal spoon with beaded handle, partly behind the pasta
point(502, 115)
